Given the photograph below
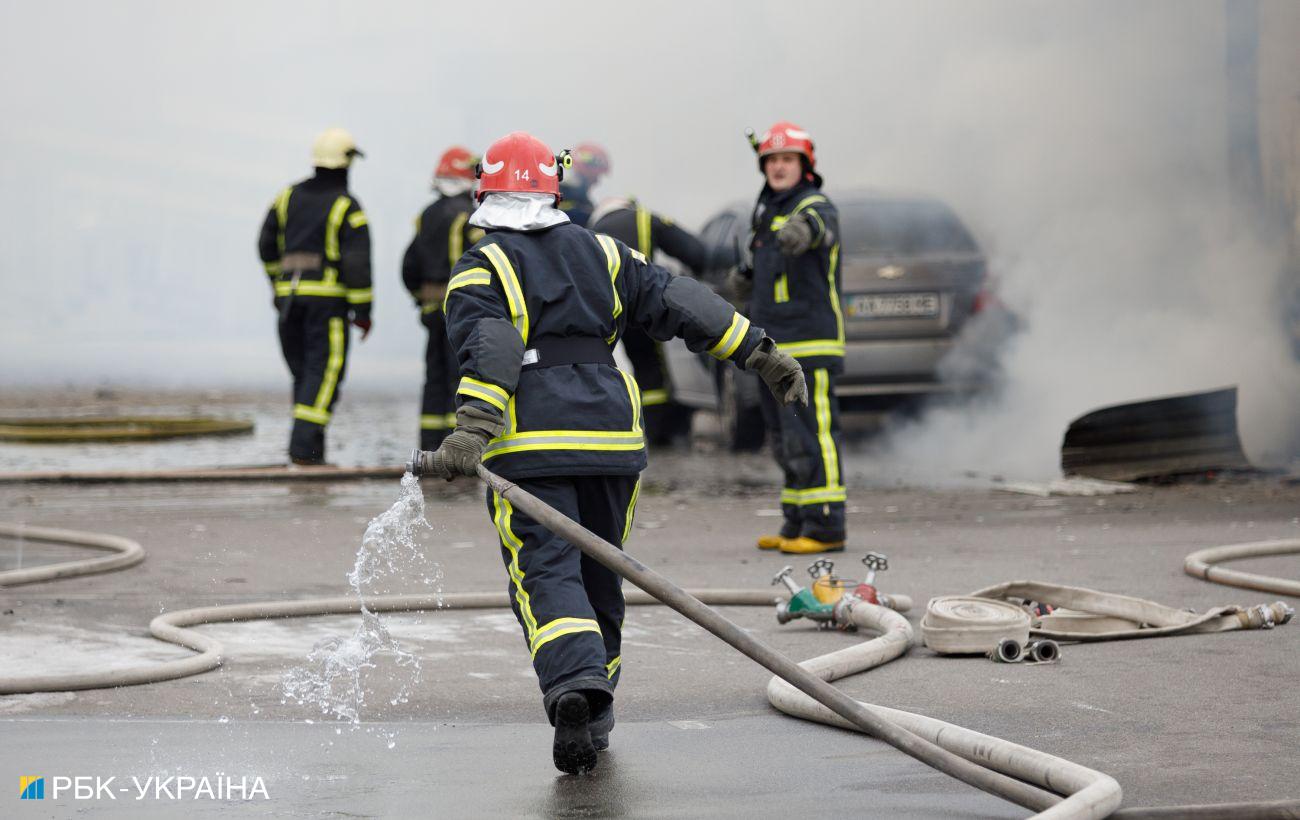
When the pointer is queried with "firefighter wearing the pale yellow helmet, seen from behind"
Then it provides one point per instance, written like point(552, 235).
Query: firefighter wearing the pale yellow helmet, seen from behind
point(317, 249)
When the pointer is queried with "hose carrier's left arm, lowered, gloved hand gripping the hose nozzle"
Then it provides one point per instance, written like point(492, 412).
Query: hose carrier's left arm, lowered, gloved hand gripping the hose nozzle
point(491, 352)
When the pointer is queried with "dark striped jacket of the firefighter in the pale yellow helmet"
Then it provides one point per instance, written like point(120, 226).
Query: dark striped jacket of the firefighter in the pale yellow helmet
point(317, 232)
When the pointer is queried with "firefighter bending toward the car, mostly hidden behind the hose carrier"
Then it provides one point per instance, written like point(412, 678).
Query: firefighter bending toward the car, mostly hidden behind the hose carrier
point(639, 228)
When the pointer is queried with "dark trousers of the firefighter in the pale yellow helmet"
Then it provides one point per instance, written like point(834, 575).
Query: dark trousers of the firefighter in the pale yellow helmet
point(314, 339)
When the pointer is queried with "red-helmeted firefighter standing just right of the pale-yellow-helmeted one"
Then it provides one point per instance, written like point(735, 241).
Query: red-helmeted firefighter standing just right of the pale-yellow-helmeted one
point(443, 233)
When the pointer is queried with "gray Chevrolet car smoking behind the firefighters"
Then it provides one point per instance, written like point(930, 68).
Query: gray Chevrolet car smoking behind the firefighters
point(913, 279)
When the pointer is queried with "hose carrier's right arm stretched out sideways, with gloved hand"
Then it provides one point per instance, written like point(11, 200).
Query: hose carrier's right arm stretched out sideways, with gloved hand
point(668, 307)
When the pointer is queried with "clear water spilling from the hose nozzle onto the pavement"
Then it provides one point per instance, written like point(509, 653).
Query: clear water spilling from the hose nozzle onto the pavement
point(335, 678)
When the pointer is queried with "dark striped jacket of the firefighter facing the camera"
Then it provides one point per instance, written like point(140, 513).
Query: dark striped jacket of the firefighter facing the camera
point(798, 298)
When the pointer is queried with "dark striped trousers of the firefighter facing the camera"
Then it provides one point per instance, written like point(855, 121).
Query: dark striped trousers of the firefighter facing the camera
point(808, 450)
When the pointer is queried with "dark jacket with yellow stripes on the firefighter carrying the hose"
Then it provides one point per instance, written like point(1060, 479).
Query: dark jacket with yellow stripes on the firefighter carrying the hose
point(535, 316)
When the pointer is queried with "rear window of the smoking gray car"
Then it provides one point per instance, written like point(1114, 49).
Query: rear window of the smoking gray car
point(903, 228)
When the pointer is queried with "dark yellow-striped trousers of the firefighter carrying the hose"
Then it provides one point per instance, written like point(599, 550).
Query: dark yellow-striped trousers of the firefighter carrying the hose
point(570, 606)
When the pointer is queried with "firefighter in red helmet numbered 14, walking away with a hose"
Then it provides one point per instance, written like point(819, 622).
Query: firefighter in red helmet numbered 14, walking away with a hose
point(534, 313)
